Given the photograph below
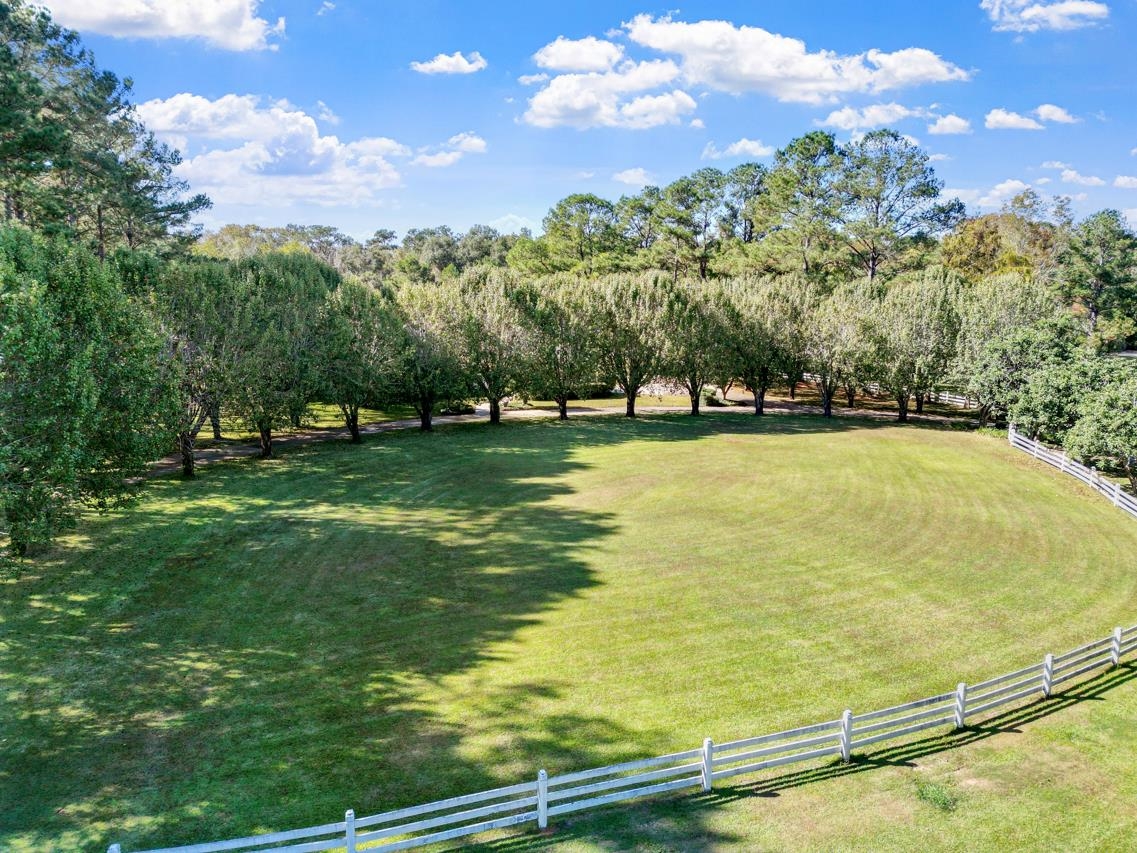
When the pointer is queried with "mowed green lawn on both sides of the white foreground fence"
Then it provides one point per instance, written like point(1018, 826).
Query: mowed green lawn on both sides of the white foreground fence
point(433, 615)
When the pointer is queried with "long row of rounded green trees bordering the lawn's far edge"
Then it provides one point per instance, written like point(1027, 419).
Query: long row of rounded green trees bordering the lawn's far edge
point(111, 365)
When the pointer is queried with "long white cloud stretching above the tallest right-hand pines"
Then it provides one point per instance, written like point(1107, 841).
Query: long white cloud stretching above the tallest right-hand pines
point(723, 56)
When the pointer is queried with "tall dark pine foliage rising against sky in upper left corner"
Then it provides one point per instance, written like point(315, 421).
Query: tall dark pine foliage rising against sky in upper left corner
point(74, 158)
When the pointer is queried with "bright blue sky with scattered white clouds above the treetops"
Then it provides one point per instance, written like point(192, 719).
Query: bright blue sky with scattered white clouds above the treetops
point(374, 114)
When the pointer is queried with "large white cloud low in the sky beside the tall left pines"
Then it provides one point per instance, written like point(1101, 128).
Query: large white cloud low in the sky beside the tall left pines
point(251, 152)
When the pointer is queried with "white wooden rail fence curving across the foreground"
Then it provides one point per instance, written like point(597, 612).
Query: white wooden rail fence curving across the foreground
point(546, 797)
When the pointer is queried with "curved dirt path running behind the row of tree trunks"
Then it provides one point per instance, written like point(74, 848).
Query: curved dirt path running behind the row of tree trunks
point(209, 456)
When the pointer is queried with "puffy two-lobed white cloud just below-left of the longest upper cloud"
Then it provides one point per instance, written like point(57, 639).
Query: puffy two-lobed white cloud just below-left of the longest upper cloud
point(610, 100)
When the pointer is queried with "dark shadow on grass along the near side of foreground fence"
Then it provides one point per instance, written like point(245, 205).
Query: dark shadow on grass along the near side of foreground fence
point(670, 822)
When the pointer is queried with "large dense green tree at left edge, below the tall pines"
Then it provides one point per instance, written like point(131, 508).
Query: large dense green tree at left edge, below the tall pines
point(86, 387)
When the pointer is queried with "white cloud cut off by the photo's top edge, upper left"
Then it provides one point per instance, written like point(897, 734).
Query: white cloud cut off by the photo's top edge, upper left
point(228, 24)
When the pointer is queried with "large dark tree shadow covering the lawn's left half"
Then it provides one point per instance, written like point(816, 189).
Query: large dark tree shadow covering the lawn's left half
point(263, 649)
